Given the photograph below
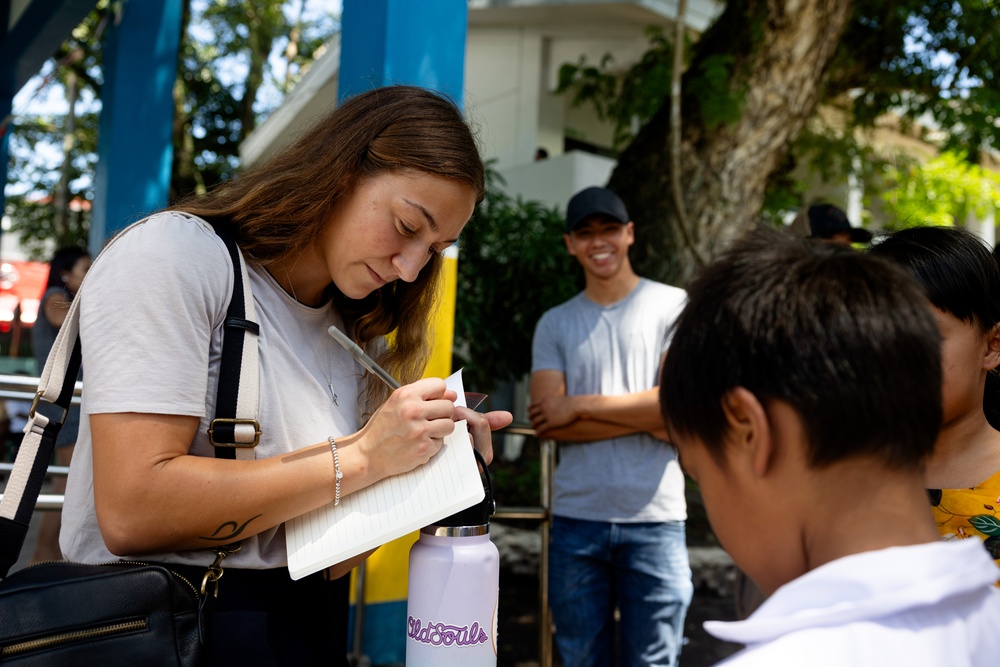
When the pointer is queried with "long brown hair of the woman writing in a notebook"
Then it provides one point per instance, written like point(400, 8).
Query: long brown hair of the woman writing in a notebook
point(281, 205)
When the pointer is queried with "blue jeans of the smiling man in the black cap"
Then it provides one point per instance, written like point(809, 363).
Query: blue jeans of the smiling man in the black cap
point(640, 568)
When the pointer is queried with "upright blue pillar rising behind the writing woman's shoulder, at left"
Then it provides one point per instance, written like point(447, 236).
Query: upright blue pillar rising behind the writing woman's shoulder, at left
point(135, 146)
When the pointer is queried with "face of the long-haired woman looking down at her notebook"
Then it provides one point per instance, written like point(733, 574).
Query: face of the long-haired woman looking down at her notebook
point(388, 228)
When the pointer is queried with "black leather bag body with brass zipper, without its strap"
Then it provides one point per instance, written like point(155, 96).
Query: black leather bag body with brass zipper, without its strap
point(63, 613)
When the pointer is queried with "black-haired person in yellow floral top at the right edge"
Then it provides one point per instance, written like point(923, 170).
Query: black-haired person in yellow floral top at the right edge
point(961, 280)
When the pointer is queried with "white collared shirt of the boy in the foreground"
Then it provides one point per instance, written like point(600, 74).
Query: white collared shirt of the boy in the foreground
point(930, 604)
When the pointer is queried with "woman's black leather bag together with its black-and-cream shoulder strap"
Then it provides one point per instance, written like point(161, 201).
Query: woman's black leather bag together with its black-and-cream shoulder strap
point(121, 613)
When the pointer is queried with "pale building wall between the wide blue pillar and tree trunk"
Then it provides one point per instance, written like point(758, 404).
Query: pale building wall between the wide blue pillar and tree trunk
point(511, 75)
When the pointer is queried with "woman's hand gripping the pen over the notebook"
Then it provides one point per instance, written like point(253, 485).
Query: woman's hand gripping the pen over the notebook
point(409, 428)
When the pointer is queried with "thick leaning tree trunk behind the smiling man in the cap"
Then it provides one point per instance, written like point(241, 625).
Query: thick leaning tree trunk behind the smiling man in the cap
point(779, 59)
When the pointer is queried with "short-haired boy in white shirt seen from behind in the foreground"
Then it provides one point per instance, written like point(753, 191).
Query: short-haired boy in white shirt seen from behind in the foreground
point(804, 385)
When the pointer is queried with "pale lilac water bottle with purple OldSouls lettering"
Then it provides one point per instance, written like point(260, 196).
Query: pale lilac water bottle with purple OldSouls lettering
point(454, 590)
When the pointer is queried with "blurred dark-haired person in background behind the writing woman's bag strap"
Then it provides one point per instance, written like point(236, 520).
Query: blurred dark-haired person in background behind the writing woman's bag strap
point(67, 269)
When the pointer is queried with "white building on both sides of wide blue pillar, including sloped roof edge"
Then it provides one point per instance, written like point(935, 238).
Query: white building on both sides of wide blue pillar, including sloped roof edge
point(513, 54)
